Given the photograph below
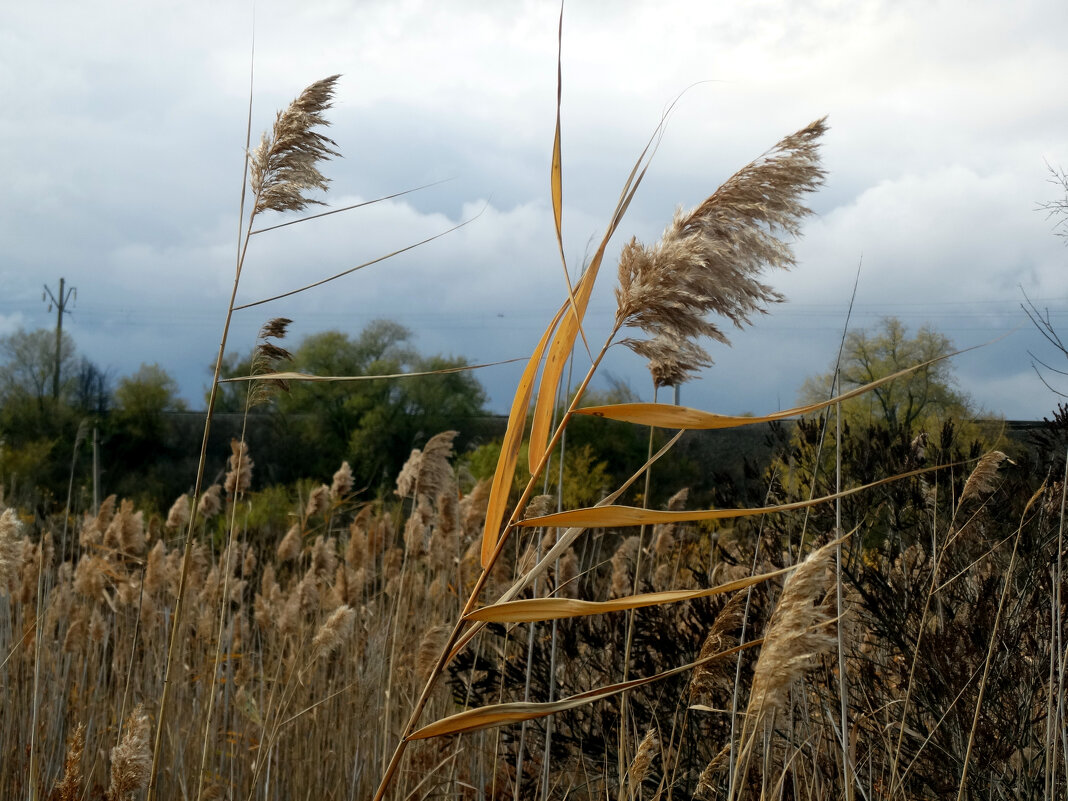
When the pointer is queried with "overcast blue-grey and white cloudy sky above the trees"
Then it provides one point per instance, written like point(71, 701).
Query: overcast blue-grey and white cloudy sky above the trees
point(122, 148)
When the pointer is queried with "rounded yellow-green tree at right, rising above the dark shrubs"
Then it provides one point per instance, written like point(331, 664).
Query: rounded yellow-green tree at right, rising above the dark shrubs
point(920, 420)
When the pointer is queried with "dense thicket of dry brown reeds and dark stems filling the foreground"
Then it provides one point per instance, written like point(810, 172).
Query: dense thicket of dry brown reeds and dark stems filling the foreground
point(320, 642)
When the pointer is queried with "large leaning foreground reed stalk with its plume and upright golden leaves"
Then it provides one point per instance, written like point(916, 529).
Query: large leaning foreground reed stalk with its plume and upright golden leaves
point(706, 264)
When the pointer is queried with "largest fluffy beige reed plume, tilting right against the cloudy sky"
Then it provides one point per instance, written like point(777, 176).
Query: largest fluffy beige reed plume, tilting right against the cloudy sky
point(709, 260)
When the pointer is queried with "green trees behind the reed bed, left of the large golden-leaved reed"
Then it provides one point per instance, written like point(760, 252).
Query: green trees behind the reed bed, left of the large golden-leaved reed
point(147, 446)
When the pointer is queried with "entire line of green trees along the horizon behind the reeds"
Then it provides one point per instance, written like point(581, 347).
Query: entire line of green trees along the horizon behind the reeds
point(147, 438)
